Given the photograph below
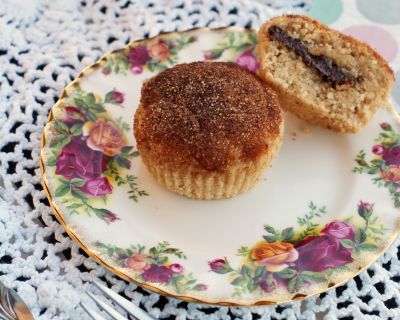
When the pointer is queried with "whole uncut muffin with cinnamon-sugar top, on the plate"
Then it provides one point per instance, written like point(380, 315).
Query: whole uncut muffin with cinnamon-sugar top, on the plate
point(207, 130)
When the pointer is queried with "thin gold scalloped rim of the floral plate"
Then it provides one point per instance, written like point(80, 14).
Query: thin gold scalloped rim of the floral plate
point(93, 67)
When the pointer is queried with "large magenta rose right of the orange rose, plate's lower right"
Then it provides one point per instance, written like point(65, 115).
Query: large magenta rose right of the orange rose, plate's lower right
point(320, 253)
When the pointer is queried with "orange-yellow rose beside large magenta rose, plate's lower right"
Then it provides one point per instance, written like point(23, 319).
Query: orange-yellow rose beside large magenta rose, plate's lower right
point(274, 256)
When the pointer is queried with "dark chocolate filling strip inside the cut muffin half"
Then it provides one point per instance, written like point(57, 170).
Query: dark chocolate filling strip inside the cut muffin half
point(325, 67)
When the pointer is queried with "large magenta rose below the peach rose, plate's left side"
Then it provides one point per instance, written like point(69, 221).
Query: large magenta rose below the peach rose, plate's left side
point(78, 161)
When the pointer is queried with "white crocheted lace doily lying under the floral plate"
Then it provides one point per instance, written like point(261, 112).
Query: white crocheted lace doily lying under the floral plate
point(43, 46)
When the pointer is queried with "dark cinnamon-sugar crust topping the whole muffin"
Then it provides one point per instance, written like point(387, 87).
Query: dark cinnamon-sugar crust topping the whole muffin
point(214, 112)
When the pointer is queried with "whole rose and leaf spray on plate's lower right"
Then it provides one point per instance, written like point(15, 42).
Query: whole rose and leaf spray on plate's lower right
point(278, 260)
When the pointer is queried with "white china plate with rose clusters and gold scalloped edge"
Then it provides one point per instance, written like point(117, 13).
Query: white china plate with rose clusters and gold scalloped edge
point(327, 208)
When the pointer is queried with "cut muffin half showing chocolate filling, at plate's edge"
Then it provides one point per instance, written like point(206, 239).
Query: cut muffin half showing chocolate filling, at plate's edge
point(321, 75)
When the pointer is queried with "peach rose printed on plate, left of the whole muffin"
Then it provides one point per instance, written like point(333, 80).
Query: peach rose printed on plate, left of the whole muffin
point(104, 136)
